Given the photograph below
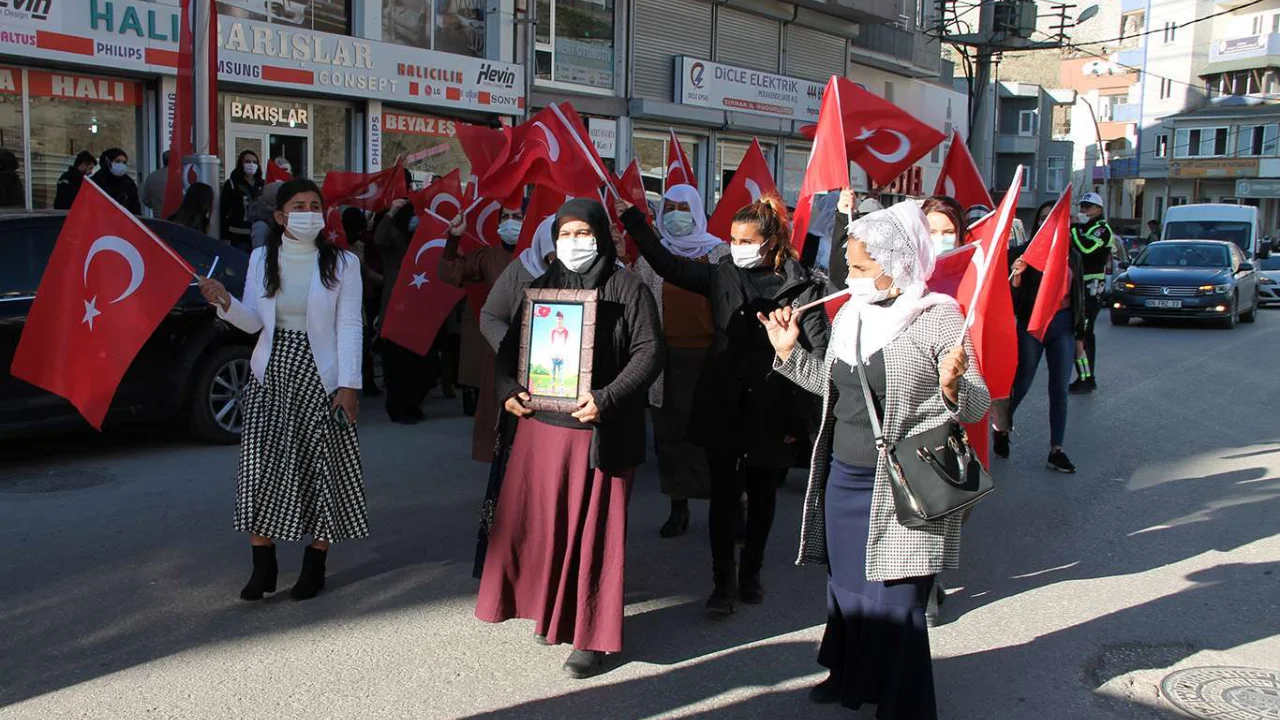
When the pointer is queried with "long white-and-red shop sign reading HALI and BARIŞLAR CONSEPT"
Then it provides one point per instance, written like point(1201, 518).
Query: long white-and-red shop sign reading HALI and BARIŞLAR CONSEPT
point(144, 37)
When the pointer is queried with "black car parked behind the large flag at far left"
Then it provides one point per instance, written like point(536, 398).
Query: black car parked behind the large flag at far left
point(193, 367)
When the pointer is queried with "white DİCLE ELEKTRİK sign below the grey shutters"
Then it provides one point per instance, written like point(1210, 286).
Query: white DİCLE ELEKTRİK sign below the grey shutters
point(742, 90)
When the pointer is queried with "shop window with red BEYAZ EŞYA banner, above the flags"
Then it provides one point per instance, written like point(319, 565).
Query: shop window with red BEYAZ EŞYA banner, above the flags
point(428, 144)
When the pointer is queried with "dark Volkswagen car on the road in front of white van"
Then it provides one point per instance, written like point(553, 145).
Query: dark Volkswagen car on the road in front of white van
point(1188, 280)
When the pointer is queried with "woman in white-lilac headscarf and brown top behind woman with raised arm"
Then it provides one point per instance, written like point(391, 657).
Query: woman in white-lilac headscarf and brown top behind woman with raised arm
point(687, 323)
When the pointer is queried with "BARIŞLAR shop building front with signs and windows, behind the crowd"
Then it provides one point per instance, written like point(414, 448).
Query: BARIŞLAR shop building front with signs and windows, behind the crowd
point(324, 85)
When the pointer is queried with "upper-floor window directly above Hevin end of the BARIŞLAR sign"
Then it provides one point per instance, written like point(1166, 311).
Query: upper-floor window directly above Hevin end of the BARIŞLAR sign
point(449, 26)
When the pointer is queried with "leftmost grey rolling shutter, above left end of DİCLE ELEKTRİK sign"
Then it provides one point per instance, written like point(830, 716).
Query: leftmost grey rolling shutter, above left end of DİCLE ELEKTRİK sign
point(666, 29)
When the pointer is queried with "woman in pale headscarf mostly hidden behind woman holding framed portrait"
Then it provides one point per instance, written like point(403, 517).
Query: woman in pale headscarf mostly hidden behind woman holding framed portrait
point(500, 311)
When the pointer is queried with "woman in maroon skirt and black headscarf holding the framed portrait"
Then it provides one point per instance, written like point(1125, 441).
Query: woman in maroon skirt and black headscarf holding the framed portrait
point(557, 546)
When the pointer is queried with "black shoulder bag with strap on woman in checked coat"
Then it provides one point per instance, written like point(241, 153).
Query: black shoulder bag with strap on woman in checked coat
point(934, 473)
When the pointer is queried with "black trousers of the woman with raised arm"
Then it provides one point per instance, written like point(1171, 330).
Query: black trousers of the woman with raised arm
point(730, 480)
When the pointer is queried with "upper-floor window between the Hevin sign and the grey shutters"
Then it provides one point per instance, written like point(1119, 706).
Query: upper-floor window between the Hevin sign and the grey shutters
point(575, 43)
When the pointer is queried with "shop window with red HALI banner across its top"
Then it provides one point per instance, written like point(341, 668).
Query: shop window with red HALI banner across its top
point(71, 113)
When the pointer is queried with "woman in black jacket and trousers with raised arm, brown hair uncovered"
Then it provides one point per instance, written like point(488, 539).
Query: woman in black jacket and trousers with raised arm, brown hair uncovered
point(747, 417)
